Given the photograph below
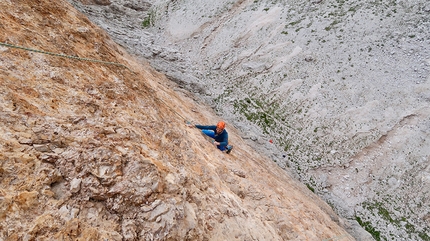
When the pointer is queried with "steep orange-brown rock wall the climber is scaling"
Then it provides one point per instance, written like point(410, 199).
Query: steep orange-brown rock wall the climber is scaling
point(96, 151)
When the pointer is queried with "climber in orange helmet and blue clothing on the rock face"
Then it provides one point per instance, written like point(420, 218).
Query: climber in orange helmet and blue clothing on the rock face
point(219, 134)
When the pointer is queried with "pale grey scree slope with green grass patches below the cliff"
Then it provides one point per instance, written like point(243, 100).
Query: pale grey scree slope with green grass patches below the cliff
point(340, 87)
